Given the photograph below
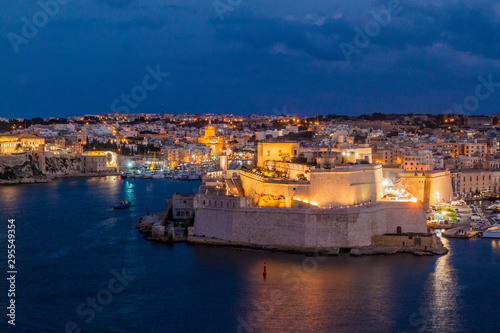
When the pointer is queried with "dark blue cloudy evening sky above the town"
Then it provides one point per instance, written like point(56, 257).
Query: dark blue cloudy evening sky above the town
point(255, 57)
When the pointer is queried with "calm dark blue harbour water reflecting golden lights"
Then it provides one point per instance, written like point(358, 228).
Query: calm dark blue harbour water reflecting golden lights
point(71, 245)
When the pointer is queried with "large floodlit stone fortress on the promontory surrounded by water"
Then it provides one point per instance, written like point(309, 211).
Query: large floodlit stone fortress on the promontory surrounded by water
point(287, 202)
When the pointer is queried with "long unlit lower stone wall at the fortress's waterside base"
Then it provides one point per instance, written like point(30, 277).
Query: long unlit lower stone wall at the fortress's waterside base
point(308, 228)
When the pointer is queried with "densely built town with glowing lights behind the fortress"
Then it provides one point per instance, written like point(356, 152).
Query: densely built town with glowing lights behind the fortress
point(466, 147)
